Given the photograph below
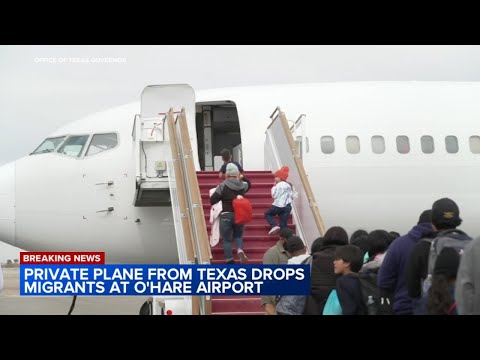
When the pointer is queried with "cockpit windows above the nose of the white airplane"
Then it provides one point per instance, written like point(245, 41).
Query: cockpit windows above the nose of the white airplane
point(73, 145)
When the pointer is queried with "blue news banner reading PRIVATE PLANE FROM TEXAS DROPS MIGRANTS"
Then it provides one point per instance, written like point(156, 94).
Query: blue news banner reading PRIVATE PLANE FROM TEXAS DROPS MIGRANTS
point(108, 280)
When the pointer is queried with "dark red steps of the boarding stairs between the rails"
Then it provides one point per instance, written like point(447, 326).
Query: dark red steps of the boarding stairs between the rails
point(255, 238)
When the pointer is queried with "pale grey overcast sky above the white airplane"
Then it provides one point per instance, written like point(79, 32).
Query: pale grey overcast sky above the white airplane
point(37, 97)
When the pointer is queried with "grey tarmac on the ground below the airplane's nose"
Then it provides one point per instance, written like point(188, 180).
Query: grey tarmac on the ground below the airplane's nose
point(11, 303)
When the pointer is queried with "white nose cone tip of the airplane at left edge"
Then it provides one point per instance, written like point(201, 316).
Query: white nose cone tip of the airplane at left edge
point(7, 203)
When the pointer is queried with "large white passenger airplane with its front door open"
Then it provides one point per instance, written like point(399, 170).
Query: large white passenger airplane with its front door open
point(376, 153)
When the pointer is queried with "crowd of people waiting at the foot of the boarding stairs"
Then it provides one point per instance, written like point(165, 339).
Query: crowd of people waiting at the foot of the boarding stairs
point(428, 271)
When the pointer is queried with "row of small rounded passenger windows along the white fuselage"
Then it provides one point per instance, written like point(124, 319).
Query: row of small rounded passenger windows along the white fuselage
point(427, 142)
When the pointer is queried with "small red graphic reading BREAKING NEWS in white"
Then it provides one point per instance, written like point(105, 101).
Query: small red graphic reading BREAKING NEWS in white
point(61, 258)
